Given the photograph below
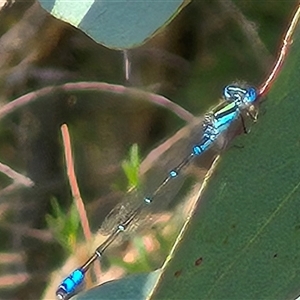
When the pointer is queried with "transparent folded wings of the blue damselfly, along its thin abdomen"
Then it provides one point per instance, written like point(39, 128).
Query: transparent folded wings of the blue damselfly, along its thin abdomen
point(155, 168)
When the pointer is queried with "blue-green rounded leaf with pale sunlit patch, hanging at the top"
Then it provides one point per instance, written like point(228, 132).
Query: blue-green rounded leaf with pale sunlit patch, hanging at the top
point(115, 24)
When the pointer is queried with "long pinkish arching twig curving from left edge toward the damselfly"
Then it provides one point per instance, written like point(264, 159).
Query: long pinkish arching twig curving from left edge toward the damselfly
point(97, 86)
